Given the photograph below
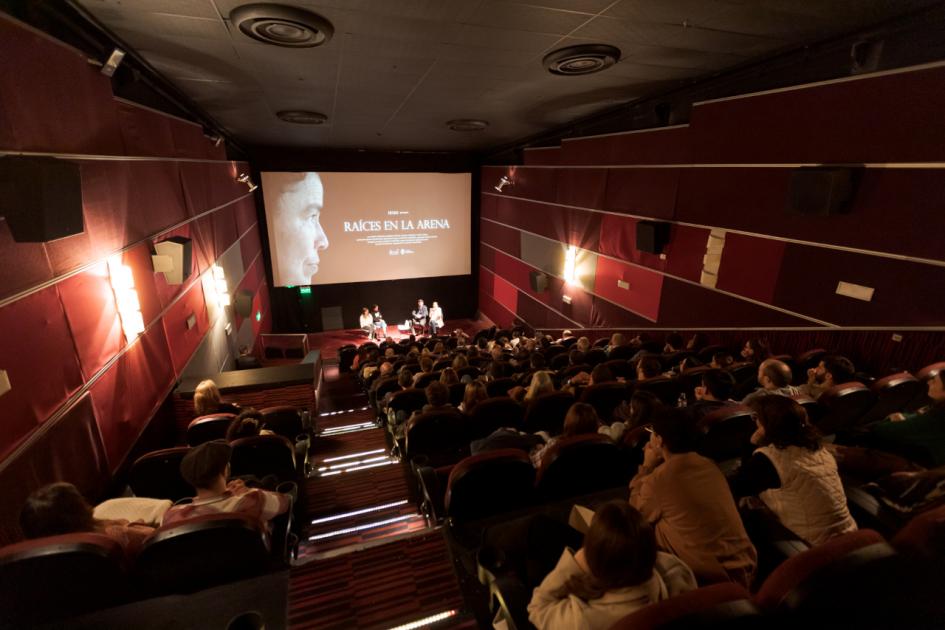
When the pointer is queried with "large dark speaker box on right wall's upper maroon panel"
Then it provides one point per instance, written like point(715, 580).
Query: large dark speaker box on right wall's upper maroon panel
point(823, 190)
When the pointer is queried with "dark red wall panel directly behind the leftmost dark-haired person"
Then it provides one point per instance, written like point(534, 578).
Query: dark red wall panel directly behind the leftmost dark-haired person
point(71, 449)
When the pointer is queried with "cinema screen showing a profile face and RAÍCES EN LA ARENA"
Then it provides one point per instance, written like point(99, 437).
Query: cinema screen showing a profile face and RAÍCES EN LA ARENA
point(328, 228)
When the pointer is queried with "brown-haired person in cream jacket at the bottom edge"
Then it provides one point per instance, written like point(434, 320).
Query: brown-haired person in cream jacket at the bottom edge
point(618, 570)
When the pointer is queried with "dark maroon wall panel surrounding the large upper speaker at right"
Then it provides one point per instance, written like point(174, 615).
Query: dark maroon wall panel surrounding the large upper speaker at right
point(904, 201)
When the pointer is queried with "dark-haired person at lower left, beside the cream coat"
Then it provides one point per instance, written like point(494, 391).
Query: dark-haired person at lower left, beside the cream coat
point(60, 508)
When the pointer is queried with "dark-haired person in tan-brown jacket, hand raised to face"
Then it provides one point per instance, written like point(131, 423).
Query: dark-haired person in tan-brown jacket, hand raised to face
point(687, 499)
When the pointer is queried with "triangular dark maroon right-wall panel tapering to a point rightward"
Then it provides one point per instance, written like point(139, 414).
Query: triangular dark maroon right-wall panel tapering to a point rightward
point(687, 305)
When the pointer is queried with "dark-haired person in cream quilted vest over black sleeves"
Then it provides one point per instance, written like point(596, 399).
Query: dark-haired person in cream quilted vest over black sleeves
point(793, 474)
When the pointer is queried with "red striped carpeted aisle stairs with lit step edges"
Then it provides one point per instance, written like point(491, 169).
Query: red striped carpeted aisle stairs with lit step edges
point(368, 558)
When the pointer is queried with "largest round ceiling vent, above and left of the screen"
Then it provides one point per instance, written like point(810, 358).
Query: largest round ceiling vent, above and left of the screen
point(279, 25)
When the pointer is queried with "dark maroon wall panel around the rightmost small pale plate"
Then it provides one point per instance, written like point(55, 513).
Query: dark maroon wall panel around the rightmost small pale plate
point(907, 294)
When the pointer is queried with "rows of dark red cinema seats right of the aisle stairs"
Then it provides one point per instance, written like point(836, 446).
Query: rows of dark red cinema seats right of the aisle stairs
point(796, 583)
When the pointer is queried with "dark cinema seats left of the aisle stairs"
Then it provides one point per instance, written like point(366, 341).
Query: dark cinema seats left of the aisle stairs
point(61, 577)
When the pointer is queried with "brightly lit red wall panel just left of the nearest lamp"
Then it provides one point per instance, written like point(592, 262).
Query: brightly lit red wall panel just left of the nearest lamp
point(89, 306)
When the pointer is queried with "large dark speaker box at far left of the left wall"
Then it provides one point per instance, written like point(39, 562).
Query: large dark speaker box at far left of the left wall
point(41, 198)
